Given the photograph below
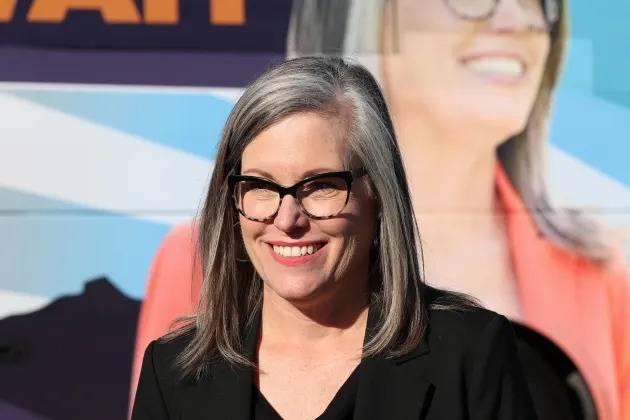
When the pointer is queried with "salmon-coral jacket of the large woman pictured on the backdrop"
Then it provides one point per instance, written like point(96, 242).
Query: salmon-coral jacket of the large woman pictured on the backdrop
point(583, 307)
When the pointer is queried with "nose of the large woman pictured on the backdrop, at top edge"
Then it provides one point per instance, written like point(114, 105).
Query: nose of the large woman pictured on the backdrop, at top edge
point(517, 15)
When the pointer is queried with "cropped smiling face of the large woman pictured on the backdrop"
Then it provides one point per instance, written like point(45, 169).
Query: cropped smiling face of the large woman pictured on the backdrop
point(478, 74)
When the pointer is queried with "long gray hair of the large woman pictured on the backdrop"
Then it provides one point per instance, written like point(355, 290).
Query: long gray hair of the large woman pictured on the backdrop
point(354, 28)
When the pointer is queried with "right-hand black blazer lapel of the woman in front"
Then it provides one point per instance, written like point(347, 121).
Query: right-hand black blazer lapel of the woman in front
point(392, 388)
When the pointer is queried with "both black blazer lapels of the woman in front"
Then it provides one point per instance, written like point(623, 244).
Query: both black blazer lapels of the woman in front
point(388, 388)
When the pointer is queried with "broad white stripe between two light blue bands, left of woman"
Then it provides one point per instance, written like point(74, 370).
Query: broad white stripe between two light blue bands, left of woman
point(60, 156)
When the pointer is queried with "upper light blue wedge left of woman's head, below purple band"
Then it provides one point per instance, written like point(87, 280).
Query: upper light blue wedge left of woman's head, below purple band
point(190, 122)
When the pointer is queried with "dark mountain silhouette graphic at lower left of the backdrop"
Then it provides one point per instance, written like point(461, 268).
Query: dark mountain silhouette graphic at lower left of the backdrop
point(71, 359)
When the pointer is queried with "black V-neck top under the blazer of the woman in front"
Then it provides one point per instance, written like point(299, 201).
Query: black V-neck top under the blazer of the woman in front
point(340, 408)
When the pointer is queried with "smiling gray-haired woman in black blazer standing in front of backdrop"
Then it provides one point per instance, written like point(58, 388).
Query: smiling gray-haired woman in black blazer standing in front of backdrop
point(313, 302)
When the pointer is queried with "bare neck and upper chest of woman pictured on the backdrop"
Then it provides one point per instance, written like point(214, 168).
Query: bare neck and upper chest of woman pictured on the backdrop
point(462, 225)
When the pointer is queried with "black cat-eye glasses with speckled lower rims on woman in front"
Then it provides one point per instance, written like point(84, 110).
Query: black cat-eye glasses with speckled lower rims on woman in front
point(319, 196)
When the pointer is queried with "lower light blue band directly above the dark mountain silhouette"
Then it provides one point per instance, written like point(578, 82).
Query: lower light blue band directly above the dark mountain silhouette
point(53, 251)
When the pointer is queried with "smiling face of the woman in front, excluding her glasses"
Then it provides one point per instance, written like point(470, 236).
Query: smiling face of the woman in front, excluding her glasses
point(299, 146)
